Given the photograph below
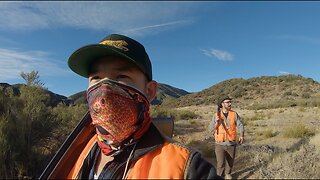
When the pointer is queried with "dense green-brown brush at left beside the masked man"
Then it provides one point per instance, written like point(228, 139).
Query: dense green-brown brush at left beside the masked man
point(31, 129)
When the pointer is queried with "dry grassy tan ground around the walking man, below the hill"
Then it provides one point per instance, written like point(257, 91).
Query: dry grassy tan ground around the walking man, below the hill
point(262, 156)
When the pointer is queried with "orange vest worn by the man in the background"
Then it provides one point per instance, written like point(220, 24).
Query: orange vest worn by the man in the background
point(230, 131)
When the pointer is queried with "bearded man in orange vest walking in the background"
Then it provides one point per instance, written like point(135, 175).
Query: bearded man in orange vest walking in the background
point(224, 125)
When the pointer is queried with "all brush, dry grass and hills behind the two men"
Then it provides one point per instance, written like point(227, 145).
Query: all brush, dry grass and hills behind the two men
point(280, 114)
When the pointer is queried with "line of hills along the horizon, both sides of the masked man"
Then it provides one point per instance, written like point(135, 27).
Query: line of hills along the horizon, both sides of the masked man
point(255, 93)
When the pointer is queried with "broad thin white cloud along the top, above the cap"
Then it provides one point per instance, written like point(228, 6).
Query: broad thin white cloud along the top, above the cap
point(106, 16)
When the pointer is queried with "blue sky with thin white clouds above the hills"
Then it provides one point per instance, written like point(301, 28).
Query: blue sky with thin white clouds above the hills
point(192, 45)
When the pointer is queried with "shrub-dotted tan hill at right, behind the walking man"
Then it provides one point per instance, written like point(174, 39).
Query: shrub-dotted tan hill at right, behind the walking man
point(258, 93)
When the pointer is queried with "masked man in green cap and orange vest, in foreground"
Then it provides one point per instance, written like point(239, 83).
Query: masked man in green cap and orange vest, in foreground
point(124, 142)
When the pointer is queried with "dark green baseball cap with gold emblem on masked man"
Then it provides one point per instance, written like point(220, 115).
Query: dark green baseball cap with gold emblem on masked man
point(115, 45)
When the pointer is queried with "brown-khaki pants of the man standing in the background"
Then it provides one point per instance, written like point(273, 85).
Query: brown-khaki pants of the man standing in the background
point(225, 154)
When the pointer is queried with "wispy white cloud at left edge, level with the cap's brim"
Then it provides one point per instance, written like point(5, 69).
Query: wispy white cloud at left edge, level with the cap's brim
point(13, 62)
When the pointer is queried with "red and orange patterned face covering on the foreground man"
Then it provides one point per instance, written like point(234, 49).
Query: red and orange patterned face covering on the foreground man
point(120, 114)
